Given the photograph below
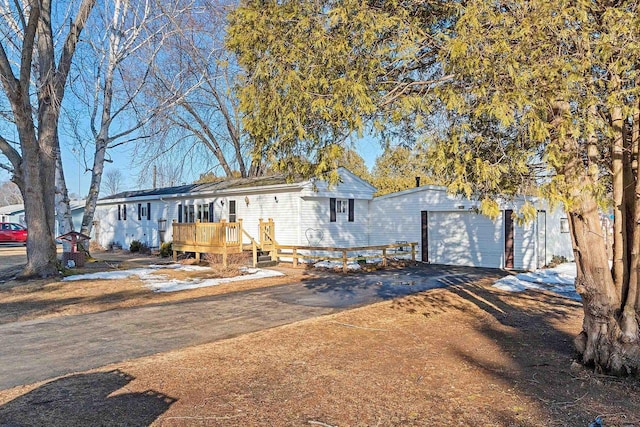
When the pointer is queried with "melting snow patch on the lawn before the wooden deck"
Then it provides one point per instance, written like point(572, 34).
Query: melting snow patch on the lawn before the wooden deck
point(161, 283)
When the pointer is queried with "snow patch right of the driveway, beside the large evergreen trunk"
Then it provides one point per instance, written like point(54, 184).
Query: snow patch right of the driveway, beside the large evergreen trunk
point(559, 280)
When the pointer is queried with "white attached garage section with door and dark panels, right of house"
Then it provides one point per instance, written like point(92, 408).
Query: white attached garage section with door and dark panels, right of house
point(449, 230)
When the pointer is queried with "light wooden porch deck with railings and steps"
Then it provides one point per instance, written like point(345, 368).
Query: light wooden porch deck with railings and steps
point(221, 238)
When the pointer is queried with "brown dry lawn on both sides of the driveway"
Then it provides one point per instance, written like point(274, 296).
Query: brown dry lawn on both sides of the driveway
point(467, 355)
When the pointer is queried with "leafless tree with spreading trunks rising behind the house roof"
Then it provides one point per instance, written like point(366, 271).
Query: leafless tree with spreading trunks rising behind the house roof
point(205, 123)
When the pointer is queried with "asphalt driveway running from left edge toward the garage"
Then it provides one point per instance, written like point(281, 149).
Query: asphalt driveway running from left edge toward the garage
point(37, 350)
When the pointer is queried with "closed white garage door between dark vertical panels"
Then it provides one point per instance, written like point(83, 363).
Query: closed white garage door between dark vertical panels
point(465, 238)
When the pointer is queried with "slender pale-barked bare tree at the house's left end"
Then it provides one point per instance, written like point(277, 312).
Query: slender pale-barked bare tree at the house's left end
point(128, 38)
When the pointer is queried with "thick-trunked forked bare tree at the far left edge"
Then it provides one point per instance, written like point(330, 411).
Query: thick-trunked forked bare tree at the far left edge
point(33, 74)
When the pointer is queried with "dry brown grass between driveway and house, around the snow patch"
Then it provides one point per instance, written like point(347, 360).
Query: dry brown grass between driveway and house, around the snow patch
point(52, 298)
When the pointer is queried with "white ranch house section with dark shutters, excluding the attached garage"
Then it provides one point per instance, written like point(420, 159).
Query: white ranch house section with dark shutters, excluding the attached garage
point(305, 212)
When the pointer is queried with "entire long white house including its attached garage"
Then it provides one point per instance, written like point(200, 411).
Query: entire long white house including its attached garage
point(310, 213)
